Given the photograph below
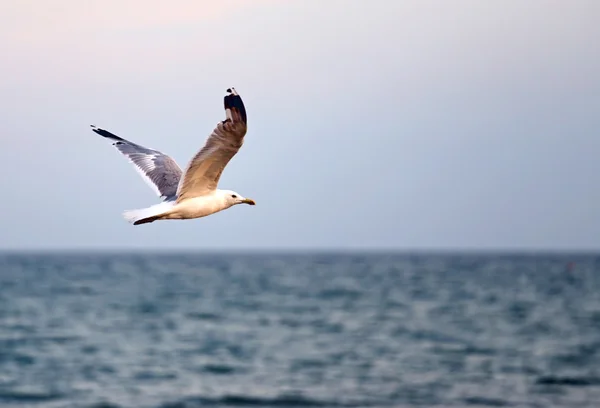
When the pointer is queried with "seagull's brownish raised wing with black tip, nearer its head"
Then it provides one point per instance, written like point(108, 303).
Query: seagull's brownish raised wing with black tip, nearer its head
point(204, 170)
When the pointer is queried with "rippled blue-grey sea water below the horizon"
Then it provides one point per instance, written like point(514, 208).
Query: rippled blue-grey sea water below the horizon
point(300, 330)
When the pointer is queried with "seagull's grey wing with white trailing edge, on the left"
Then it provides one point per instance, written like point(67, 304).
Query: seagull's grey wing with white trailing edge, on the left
point(159, 171)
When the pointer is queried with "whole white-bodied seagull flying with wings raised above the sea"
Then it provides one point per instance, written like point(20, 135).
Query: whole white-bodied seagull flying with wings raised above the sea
point(193, 193)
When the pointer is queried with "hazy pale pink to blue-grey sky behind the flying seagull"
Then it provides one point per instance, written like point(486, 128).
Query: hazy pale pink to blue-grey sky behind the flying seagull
point(372, 124)
